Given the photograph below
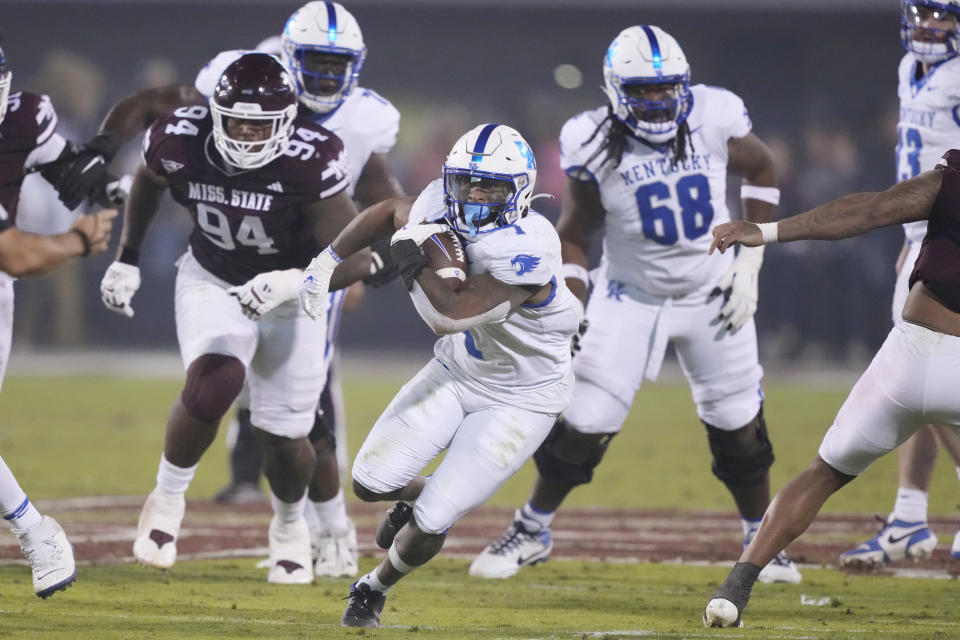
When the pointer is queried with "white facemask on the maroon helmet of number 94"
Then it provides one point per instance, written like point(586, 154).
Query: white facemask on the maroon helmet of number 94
point(251, 152)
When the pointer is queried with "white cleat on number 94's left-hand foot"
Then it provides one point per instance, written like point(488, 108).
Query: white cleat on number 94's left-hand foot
point(158, 529)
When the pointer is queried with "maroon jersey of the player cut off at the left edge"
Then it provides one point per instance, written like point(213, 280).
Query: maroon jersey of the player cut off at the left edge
point(30, 123)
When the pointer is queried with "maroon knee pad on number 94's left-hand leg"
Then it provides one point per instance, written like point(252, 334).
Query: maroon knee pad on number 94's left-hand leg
point(213, 382)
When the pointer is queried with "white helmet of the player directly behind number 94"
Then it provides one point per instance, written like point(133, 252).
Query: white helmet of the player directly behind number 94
point(323, 28)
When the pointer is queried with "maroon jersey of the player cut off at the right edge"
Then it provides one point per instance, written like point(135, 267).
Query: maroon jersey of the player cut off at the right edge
point(938, 265)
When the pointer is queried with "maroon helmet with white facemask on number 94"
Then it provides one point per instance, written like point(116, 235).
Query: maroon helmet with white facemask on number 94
point(254, 91)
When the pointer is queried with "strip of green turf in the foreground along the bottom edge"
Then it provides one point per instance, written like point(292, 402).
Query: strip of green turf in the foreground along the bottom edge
point(231, 599)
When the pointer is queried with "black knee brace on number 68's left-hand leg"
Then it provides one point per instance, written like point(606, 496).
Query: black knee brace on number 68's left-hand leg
point(569, 457)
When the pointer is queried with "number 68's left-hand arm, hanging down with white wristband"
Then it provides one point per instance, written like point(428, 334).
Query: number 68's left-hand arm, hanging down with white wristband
point(581, 215)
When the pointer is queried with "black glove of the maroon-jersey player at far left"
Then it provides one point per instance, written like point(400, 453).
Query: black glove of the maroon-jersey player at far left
point(82, 174)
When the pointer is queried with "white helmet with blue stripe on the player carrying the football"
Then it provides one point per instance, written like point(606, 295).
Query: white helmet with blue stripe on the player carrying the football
point(488, 179)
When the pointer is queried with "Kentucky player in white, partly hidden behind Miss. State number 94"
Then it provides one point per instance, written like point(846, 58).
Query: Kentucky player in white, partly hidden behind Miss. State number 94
point(323, 45)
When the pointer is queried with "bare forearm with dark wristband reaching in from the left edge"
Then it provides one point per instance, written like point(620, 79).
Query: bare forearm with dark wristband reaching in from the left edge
point(28, 254)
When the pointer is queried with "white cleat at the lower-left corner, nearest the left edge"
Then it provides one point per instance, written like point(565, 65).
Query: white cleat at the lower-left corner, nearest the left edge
point(50, 555)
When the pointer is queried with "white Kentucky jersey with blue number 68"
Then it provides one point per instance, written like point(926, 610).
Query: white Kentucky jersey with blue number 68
point(659, 215)
